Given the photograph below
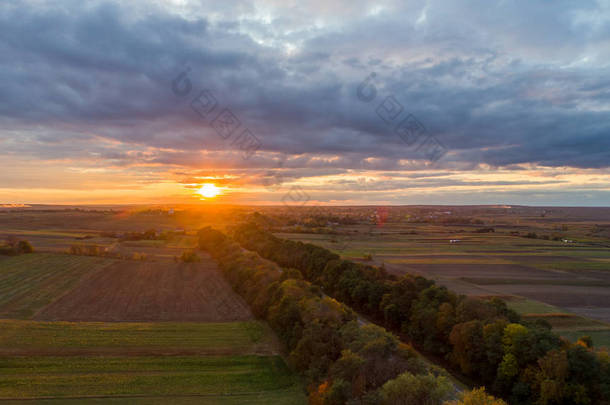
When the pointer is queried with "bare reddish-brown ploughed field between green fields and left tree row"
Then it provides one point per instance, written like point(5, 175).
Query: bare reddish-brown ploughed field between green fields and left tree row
point(151, 291)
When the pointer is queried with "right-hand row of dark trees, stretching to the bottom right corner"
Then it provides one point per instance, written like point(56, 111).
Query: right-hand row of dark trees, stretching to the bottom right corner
point(482, 339)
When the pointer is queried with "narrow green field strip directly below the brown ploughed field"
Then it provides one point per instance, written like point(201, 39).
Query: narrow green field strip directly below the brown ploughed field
point(27, 337)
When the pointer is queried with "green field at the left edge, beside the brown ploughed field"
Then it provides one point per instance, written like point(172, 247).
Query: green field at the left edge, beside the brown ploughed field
point(30, 282)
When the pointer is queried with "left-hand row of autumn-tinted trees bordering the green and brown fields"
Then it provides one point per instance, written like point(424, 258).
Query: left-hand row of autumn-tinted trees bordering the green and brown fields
point(343, 359)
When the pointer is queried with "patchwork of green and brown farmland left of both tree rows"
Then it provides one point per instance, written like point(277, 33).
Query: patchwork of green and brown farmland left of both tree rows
point(144, 331)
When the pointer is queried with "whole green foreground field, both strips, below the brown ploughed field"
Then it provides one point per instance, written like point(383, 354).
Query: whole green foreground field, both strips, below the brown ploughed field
point(126, 363)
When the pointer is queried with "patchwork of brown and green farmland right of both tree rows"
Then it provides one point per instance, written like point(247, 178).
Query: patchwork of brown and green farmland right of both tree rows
point(571, 275)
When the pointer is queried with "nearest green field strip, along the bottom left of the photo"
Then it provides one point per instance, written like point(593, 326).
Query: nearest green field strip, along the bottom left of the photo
point(72, 376)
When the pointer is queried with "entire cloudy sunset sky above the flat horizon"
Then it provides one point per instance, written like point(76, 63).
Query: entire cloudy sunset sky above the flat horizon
point(305, 102)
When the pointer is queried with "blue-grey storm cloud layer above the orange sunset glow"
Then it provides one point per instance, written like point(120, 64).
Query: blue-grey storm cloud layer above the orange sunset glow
point(497, 84)
